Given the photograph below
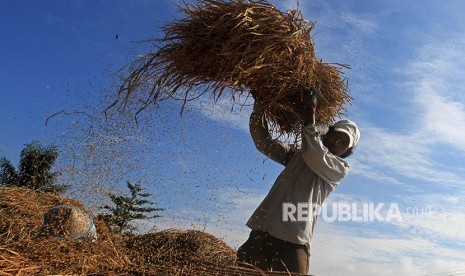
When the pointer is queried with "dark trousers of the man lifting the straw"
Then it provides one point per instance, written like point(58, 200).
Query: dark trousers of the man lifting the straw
point(272, 254)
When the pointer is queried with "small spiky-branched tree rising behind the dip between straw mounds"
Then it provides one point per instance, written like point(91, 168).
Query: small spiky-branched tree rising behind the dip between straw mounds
point(128, 208)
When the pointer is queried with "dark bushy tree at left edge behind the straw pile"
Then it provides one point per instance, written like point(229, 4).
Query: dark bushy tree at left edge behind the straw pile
point(34, 172)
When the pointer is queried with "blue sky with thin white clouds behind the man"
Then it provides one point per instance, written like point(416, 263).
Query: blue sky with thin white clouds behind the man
point(407, 59)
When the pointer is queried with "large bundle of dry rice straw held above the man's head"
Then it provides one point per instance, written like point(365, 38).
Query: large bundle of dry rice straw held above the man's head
point(239, 46)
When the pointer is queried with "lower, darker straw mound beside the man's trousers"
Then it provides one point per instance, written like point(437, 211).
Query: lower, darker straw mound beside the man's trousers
point(191, 252)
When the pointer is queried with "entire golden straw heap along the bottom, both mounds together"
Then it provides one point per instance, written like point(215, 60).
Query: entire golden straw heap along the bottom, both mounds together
point(170, 252)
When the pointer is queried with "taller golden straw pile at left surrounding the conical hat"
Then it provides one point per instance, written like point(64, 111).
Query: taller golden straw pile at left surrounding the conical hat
point(21, 219)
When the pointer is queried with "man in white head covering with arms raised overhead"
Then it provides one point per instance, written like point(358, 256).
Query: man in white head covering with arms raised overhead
point(280, 237)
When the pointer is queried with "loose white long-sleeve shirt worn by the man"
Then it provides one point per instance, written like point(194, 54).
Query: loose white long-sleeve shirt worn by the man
point(311, 173)
